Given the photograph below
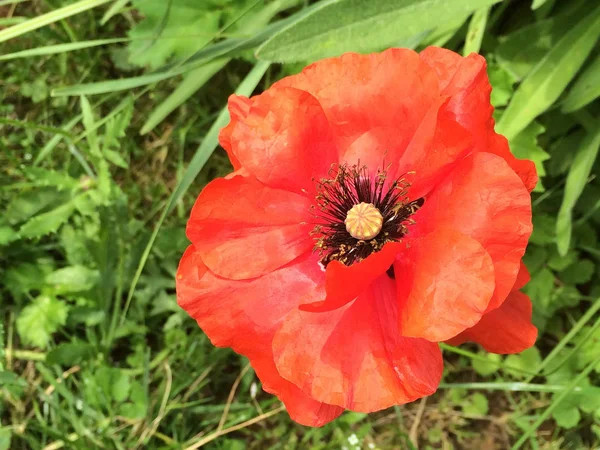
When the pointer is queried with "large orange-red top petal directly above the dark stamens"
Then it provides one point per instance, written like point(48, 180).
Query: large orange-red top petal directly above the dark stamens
point(392, 91)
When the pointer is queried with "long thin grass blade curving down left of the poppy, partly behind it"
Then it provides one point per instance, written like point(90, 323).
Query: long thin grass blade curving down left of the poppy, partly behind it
point(208, 145)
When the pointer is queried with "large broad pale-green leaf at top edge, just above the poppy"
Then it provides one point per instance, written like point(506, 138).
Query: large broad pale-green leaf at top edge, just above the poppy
point(337, 26)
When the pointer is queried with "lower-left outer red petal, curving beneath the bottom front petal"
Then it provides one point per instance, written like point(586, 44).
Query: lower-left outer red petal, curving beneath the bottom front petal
point(244, 315)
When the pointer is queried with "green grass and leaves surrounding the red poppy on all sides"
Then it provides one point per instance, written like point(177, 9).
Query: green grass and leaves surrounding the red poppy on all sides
point(109, 114)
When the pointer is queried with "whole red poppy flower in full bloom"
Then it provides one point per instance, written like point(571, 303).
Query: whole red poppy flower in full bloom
point(373, 212)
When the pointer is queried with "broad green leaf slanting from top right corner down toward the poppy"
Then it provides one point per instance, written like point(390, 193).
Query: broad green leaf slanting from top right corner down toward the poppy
point(549, 78)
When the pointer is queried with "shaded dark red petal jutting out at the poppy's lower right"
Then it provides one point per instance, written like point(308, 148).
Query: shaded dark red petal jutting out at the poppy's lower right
point(507, 329)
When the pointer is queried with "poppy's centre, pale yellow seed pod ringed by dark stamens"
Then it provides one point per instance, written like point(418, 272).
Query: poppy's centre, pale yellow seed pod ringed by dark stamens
point(356, 214)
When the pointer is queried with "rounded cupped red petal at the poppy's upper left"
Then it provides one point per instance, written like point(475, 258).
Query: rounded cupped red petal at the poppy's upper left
point(285, 140)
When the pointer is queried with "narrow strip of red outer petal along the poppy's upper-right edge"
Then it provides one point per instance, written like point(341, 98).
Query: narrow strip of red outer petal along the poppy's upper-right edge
point(465, 81)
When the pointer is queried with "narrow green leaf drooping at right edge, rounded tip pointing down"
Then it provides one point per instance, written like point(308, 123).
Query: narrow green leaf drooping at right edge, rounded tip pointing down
point(576, 180)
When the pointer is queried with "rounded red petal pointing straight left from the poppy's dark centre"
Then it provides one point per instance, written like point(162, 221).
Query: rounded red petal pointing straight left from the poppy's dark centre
point(244, 229)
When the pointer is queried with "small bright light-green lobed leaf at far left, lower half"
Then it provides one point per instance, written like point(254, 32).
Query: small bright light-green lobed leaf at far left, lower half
point(37, 321)
